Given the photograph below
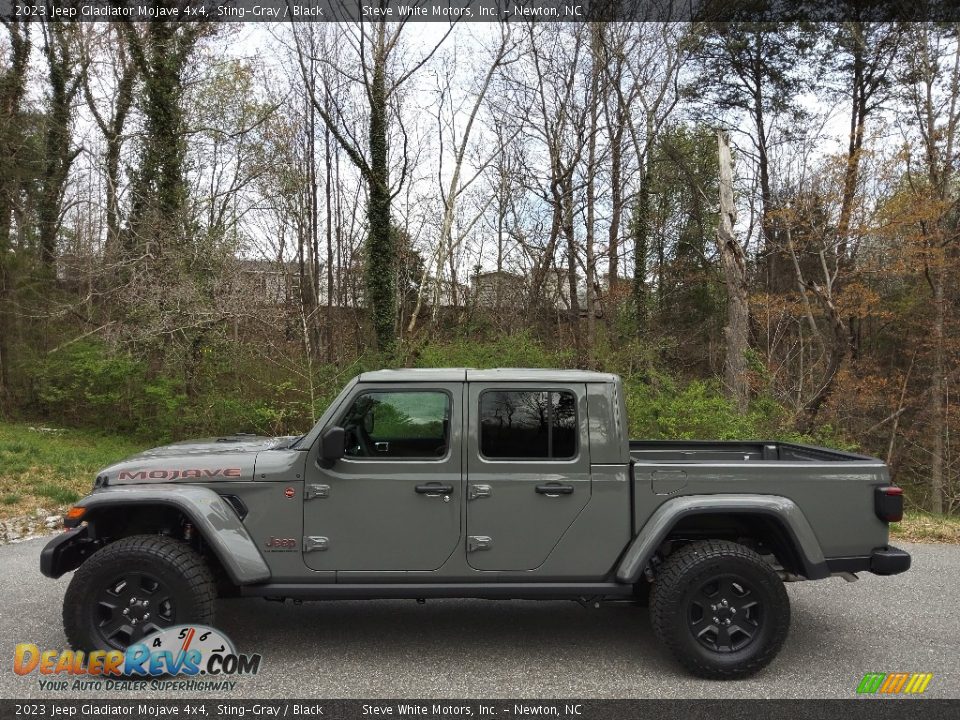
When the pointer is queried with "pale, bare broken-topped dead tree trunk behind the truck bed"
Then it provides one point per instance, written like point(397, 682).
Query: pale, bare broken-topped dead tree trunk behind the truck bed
point(732, 260)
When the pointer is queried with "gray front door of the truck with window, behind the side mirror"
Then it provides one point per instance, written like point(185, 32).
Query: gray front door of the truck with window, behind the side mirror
point(392, 503)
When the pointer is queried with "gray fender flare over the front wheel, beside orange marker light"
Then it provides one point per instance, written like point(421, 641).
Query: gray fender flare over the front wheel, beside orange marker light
point(210, 514)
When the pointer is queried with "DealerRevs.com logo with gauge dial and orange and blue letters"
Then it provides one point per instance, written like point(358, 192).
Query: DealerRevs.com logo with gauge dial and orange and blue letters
point(185, 657)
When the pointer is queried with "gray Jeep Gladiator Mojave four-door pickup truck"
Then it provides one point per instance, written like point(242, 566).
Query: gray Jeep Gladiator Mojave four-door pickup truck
point(480, 484)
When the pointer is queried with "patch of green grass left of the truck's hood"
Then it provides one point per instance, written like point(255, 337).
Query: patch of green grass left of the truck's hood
point(52, 468)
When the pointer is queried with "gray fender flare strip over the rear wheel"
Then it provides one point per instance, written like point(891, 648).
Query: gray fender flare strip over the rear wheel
point(663, 520)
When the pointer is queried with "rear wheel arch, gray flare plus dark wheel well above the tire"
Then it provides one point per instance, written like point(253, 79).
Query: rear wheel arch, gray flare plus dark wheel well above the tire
point(777, 520)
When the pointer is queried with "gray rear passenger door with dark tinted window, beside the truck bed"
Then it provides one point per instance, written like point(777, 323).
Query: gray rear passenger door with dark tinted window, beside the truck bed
point(528, 471)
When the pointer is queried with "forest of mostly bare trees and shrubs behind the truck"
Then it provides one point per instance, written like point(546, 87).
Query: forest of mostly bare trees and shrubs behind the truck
point(209, 228)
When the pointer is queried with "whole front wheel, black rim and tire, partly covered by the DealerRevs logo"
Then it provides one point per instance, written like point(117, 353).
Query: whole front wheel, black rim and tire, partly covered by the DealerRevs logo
point(133, 587)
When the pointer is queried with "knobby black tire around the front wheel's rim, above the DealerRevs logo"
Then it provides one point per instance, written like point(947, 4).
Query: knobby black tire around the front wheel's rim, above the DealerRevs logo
point(181, 572)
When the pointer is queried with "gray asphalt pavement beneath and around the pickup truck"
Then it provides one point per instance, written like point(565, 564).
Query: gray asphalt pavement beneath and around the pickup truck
point(484, 649)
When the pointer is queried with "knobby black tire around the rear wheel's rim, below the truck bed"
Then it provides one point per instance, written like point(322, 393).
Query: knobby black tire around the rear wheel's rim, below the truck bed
point(677, 604)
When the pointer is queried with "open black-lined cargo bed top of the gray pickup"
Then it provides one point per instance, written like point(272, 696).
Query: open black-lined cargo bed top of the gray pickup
point(711, 451)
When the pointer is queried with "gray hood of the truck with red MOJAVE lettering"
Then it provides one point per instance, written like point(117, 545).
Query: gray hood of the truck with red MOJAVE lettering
point(229, 458)
